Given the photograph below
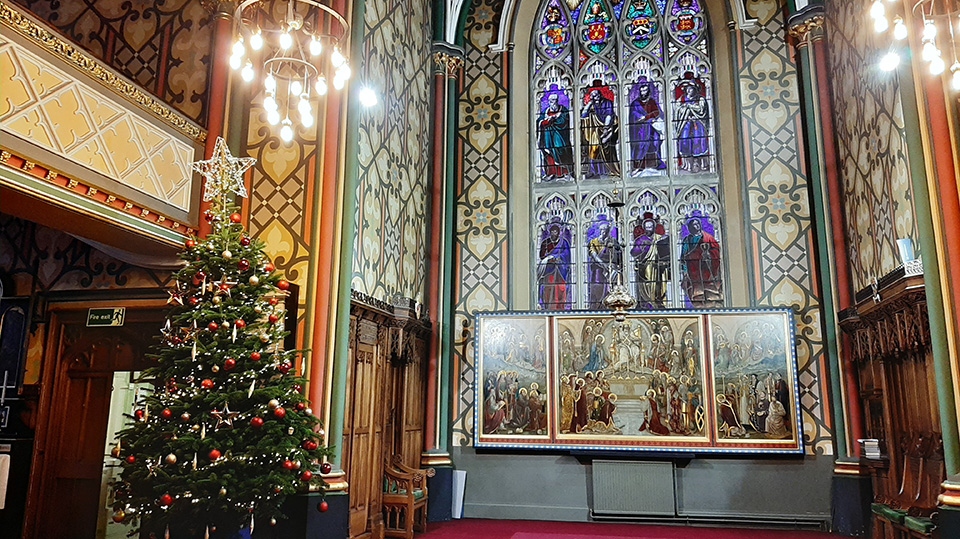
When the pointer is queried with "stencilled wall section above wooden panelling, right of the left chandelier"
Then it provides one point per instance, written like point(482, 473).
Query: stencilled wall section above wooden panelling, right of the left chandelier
point(392, 237)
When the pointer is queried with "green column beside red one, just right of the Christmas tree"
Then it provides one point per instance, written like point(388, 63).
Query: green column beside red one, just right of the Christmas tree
point(348, 227)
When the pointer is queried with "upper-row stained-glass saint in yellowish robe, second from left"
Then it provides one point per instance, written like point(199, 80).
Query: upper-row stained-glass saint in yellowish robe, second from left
point(600, 128)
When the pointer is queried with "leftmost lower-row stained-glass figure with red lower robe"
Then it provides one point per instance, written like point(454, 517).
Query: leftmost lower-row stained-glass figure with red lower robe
point(553, 268)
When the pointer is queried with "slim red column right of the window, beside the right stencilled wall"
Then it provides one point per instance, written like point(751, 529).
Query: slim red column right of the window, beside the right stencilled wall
point(844, 282)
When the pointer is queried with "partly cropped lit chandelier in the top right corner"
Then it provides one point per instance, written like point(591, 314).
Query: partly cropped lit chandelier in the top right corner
point(939, 19)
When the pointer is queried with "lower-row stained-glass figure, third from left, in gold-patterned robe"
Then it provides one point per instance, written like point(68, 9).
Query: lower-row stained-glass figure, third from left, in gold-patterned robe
point(651, 262)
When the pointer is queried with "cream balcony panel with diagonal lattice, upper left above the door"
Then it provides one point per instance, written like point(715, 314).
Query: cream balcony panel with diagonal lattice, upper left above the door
point(57, 111)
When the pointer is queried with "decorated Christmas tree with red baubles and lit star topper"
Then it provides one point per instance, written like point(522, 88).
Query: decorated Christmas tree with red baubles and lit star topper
point(225, 434)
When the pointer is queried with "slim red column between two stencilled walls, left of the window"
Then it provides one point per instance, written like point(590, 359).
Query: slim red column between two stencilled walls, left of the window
point(434, 286)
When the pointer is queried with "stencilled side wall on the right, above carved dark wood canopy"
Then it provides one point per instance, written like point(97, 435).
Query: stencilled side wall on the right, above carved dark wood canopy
point(872, 153)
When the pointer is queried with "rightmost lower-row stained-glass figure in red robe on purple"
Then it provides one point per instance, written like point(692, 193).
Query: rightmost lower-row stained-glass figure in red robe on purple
point(700, 263)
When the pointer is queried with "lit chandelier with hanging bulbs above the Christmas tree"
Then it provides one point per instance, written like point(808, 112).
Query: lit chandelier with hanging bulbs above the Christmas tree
point(297, 43)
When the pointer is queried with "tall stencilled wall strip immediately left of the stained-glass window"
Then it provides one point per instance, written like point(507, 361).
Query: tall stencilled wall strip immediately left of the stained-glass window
point(481, 198)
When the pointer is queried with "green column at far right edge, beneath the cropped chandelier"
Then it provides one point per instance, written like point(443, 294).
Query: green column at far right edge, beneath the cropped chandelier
point(933, 280)
